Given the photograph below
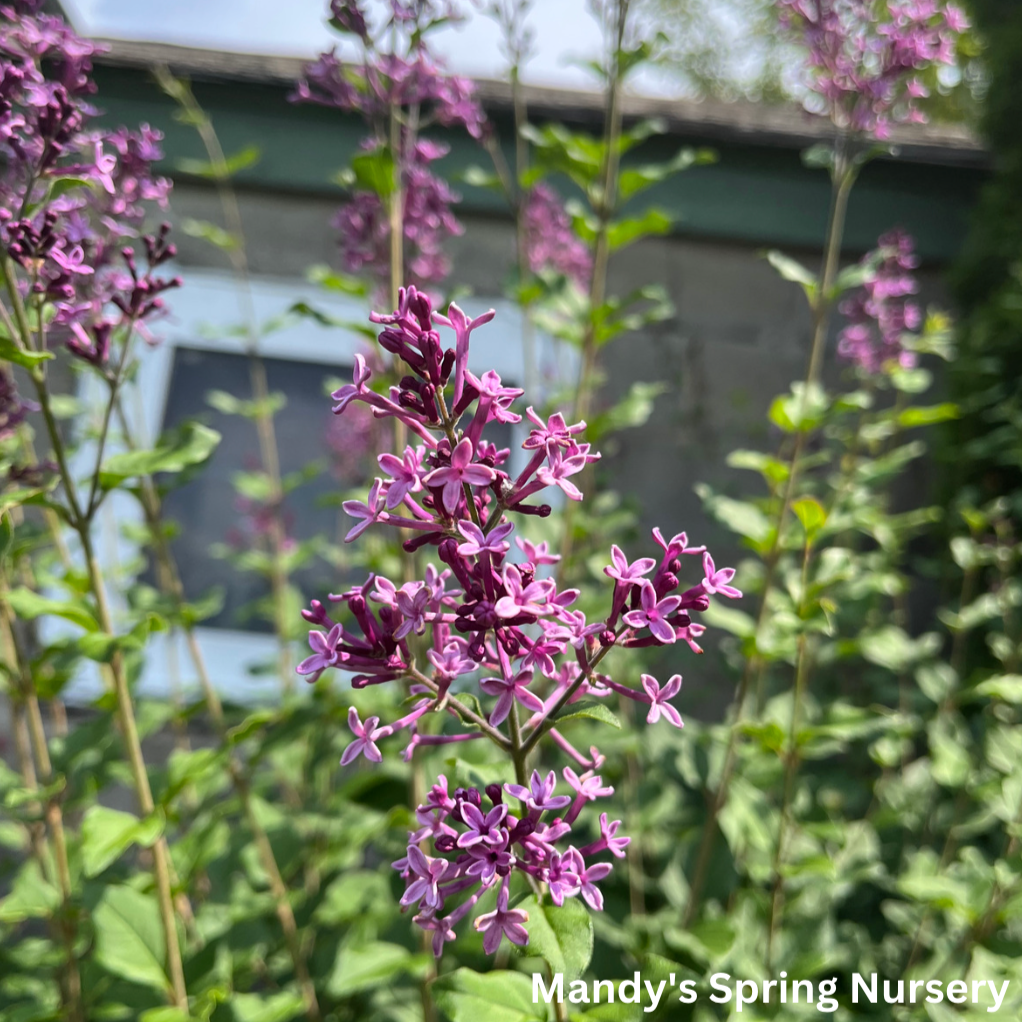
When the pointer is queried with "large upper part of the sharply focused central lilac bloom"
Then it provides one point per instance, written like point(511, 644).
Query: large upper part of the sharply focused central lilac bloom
point(533, 651)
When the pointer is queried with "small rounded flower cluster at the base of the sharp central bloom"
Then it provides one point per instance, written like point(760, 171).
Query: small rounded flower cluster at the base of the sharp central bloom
point(479, 849)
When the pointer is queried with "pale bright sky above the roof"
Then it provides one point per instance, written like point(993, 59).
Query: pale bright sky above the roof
point(566, 33)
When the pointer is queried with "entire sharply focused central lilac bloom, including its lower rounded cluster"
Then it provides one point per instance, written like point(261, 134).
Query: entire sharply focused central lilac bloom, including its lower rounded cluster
point(493, 626)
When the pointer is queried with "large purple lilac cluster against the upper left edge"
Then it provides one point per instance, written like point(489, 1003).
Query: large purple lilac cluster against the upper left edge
point(70, 196)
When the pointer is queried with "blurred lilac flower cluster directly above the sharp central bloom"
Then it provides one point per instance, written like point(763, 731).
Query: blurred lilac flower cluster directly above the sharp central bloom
point(407, 86)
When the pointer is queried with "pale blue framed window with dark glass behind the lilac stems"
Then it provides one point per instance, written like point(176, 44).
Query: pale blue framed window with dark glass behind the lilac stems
point(202, 351)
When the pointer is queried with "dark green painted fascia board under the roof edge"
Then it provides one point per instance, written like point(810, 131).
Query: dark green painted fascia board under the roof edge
point(759, 196)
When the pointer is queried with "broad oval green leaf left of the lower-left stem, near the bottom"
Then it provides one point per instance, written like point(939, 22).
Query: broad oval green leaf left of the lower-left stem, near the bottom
point(130, 938)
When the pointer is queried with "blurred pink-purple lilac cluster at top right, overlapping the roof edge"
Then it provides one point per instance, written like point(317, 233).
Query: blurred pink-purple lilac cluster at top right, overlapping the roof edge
point(867, 57)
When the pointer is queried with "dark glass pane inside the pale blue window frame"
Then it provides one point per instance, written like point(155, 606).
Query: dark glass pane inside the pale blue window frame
point(209, 510)
